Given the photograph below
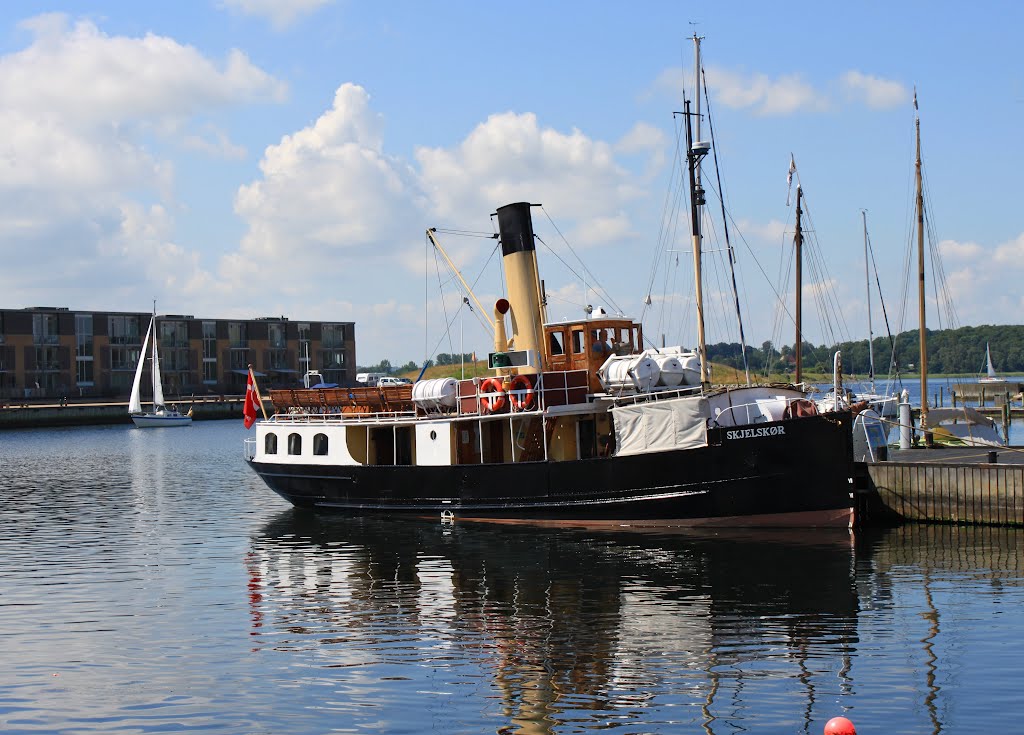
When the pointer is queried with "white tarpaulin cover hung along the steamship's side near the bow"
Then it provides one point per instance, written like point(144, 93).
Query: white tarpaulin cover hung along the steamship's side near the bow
point(662, 425)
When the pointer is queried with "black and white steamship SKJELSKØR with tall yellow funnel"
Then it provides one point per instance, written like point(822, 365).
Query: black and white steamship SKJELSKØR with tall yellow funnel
point(579, 424)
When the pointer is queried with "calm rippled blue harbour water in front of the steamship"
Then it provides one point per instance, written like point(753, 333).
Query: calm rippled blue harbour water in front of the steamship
point(150, 583)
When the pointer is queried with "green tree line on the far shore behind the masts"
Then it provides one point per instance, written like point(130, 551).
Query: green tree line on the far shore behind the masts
point(952, 352)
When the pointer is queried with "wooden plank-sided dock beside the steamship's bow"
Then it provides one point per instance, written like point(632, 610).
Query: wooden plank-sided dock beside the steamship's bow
point(963, 486)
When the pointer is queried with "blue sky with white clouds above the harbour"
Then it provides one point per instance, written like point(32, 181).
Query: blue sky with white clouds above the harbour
point(238, 159)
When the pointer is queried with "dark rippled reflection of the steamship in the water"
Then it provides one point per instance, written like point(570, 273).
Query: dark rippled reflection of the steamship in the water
point(564, 630)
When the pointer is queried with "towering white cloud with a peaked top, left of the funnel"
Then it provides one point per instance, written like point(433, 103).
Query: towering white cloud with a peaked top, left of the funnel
point(327, 192)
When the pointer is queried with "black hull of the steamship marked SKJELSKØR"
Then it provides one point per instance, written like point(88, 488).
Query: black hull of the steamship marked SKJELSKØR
point(788, 473)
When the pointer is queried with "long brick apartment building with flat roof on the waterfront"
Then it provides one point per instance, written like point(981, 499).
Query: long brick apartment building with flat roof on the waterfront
point(60, 353)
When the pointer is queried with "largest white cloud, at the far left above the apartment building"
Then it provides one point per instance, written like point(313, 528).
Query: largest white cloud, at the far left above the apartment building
point(80, 179)
